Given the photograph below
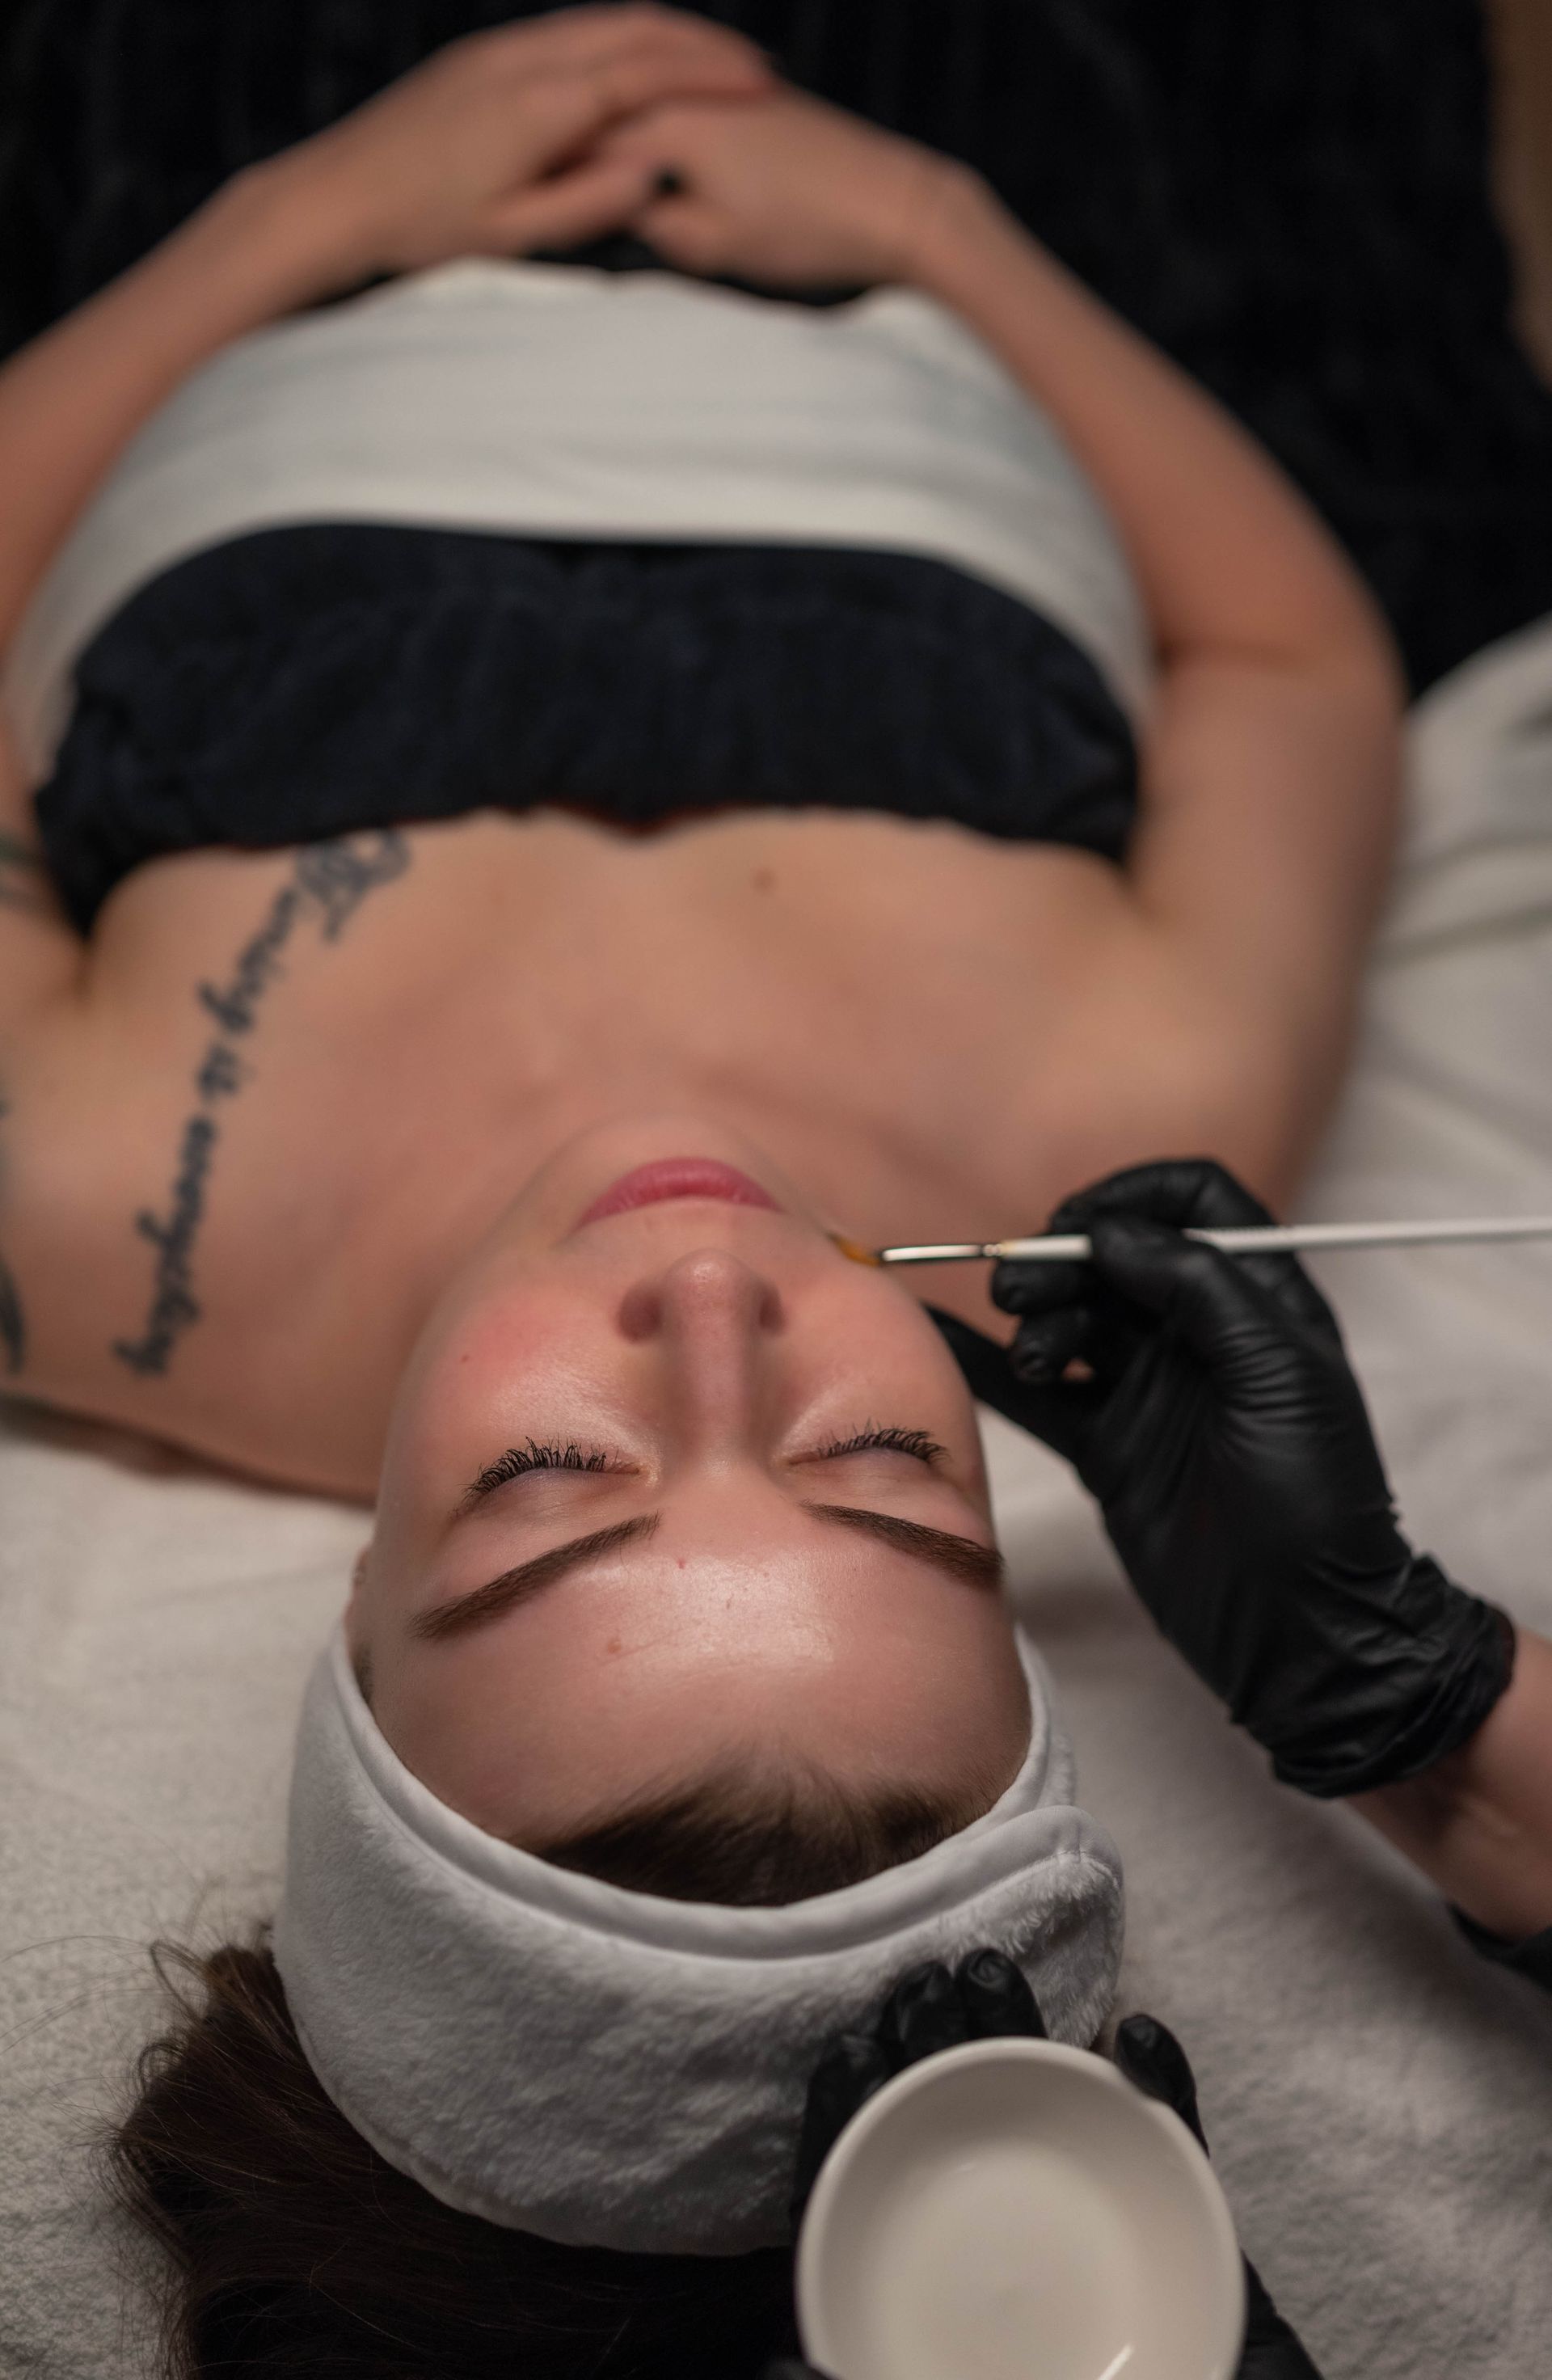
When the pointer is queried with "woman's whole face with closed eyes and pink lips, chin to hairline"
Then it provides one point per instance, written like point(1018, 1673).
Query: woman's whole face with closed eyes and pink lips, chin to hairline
point(672, 1486)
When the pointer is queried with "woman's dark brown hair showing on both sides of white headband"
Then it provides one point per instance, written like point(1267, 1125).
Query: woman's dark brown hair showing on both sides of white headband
point(301, 2255)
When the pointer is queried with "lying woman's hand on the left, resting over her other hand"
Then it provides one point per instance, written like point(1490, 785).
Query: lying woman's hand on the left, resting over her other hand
point(492, 146)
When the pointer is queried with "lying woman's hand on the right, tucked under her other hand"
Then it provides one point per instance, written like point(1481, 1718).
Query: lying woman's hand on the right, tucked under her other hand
point(784, 192)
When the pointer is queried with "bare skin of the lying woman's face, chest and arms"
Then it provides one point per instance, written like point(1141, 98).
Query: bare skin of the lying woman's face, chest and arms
point(282, 1103)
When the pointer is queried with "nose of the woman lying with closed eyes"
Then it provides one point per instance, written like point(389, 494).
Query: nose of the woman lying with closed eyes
point(715, 1324)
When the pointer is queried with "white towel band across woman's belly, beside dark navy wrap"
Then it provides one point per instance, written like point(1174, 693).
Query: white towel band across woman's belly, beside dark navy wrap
point(565, 403)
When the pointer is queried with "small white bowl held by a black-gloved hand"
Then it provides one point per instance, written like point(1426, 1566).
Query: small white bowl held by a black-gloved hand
point(1018, 2212)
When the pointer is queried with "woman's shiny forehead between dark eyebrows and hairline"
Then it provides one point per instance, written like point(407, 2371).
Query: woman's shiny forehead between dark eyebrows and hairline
point(661, 1667)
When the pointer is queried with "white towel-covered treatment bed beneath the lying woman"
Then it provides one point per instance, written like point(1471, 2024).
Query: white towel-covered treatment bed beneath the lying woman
point(1379, 2103)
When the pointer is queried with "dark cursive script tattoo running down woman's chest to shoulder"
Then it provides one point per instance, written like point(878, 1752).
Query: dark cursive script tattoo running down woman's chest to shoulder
point(327, 887)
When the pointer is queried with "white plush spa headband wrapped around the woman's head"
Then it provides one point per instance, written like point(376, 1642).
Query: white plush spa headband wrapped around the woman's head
point(606, 2067)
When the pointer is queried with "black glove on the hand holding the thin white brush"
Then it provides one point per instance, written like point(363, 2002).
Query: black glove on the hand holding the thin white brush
point(1232, 1455)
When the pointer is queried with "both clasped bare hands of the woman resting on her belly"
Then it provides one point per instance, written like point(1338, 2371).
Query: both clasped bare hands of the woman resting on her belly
point(558, 130)
